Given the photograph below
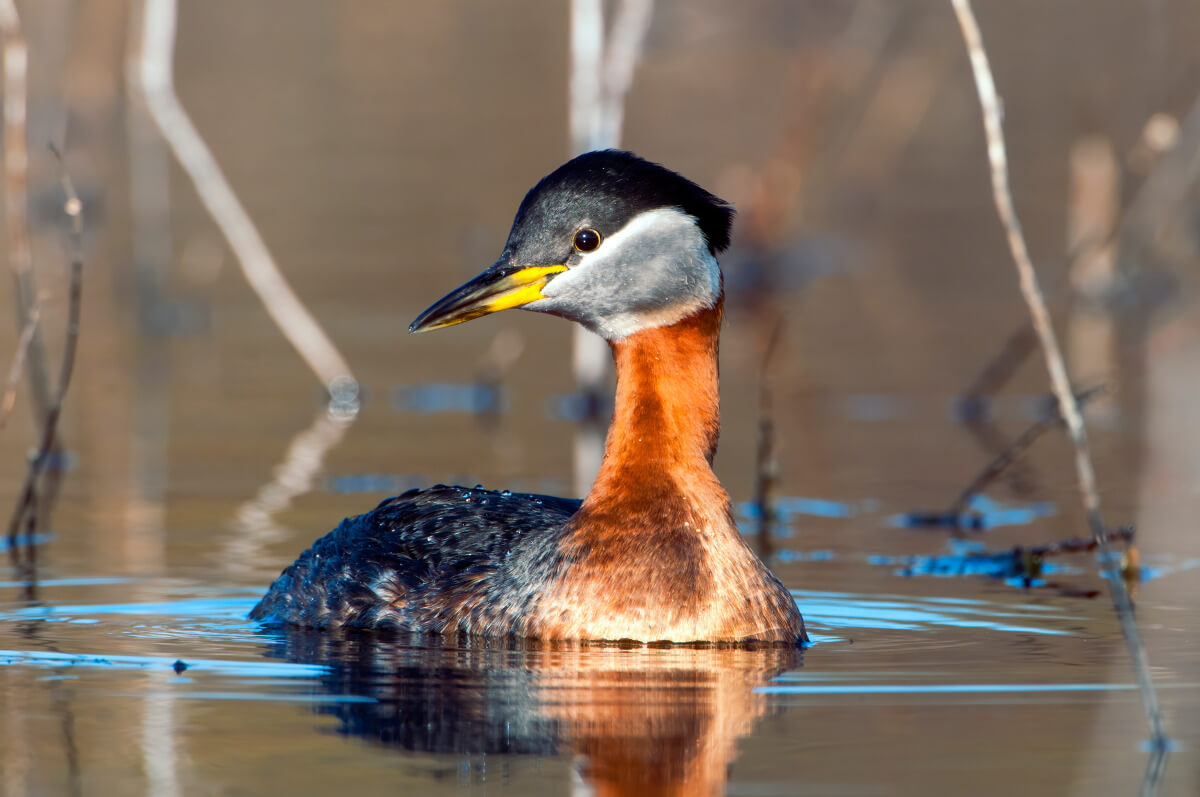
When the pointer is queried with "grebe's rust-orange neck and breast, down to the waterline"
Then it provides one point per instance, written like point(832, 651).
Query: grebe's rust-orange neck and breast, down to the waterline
point(655, 553)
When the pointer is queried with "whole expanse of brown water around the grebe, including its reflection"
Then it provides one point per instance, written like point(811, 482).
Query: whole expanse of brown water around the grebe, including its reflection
point(383, 155)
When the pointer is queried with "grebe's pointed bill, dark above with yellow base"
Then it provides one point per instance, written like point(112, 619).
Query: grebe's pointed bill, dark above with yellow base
point(501, 287)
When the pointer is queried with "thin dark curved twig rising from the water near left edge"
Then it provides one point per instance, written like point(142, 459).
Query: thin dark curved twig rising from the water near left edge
point(27, 504)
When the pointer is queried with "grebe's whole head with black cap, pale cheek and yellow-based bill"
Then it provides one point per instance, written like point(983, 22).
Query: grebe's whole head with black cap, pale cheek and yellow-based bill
point(610, 241)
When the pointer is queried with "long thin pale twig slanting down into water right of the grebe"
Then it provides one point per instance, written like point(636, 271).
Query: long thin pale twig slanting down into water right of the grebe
point(998, 157)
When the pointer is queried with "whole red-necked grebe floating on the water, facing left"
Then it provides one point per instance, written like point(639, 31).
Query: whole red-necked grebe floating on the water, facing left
point(628, 249)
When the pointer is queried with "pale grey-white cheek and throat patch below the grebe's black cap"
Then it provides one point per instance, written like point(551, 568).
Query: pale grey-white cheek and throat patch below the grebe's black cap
point(653, 272)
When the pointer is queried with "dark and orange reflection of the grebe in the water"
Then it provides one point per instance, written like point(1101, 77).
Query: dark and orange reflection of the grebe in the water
point(640, 721)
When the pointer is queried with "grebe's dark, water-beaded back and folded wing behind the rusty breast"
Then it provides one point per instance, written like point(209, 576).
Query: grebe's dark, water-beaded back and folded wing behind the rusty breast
point(413, 561)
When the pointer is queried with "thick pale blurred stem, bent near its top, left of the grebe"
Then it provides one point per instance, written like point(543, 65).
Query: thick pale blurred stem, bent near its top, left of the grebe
point(215, 193)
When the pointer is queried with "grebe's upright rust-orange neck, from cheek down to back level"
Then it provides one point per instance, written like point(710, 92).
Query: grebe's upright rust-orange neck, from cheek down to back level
point(667, 417)
